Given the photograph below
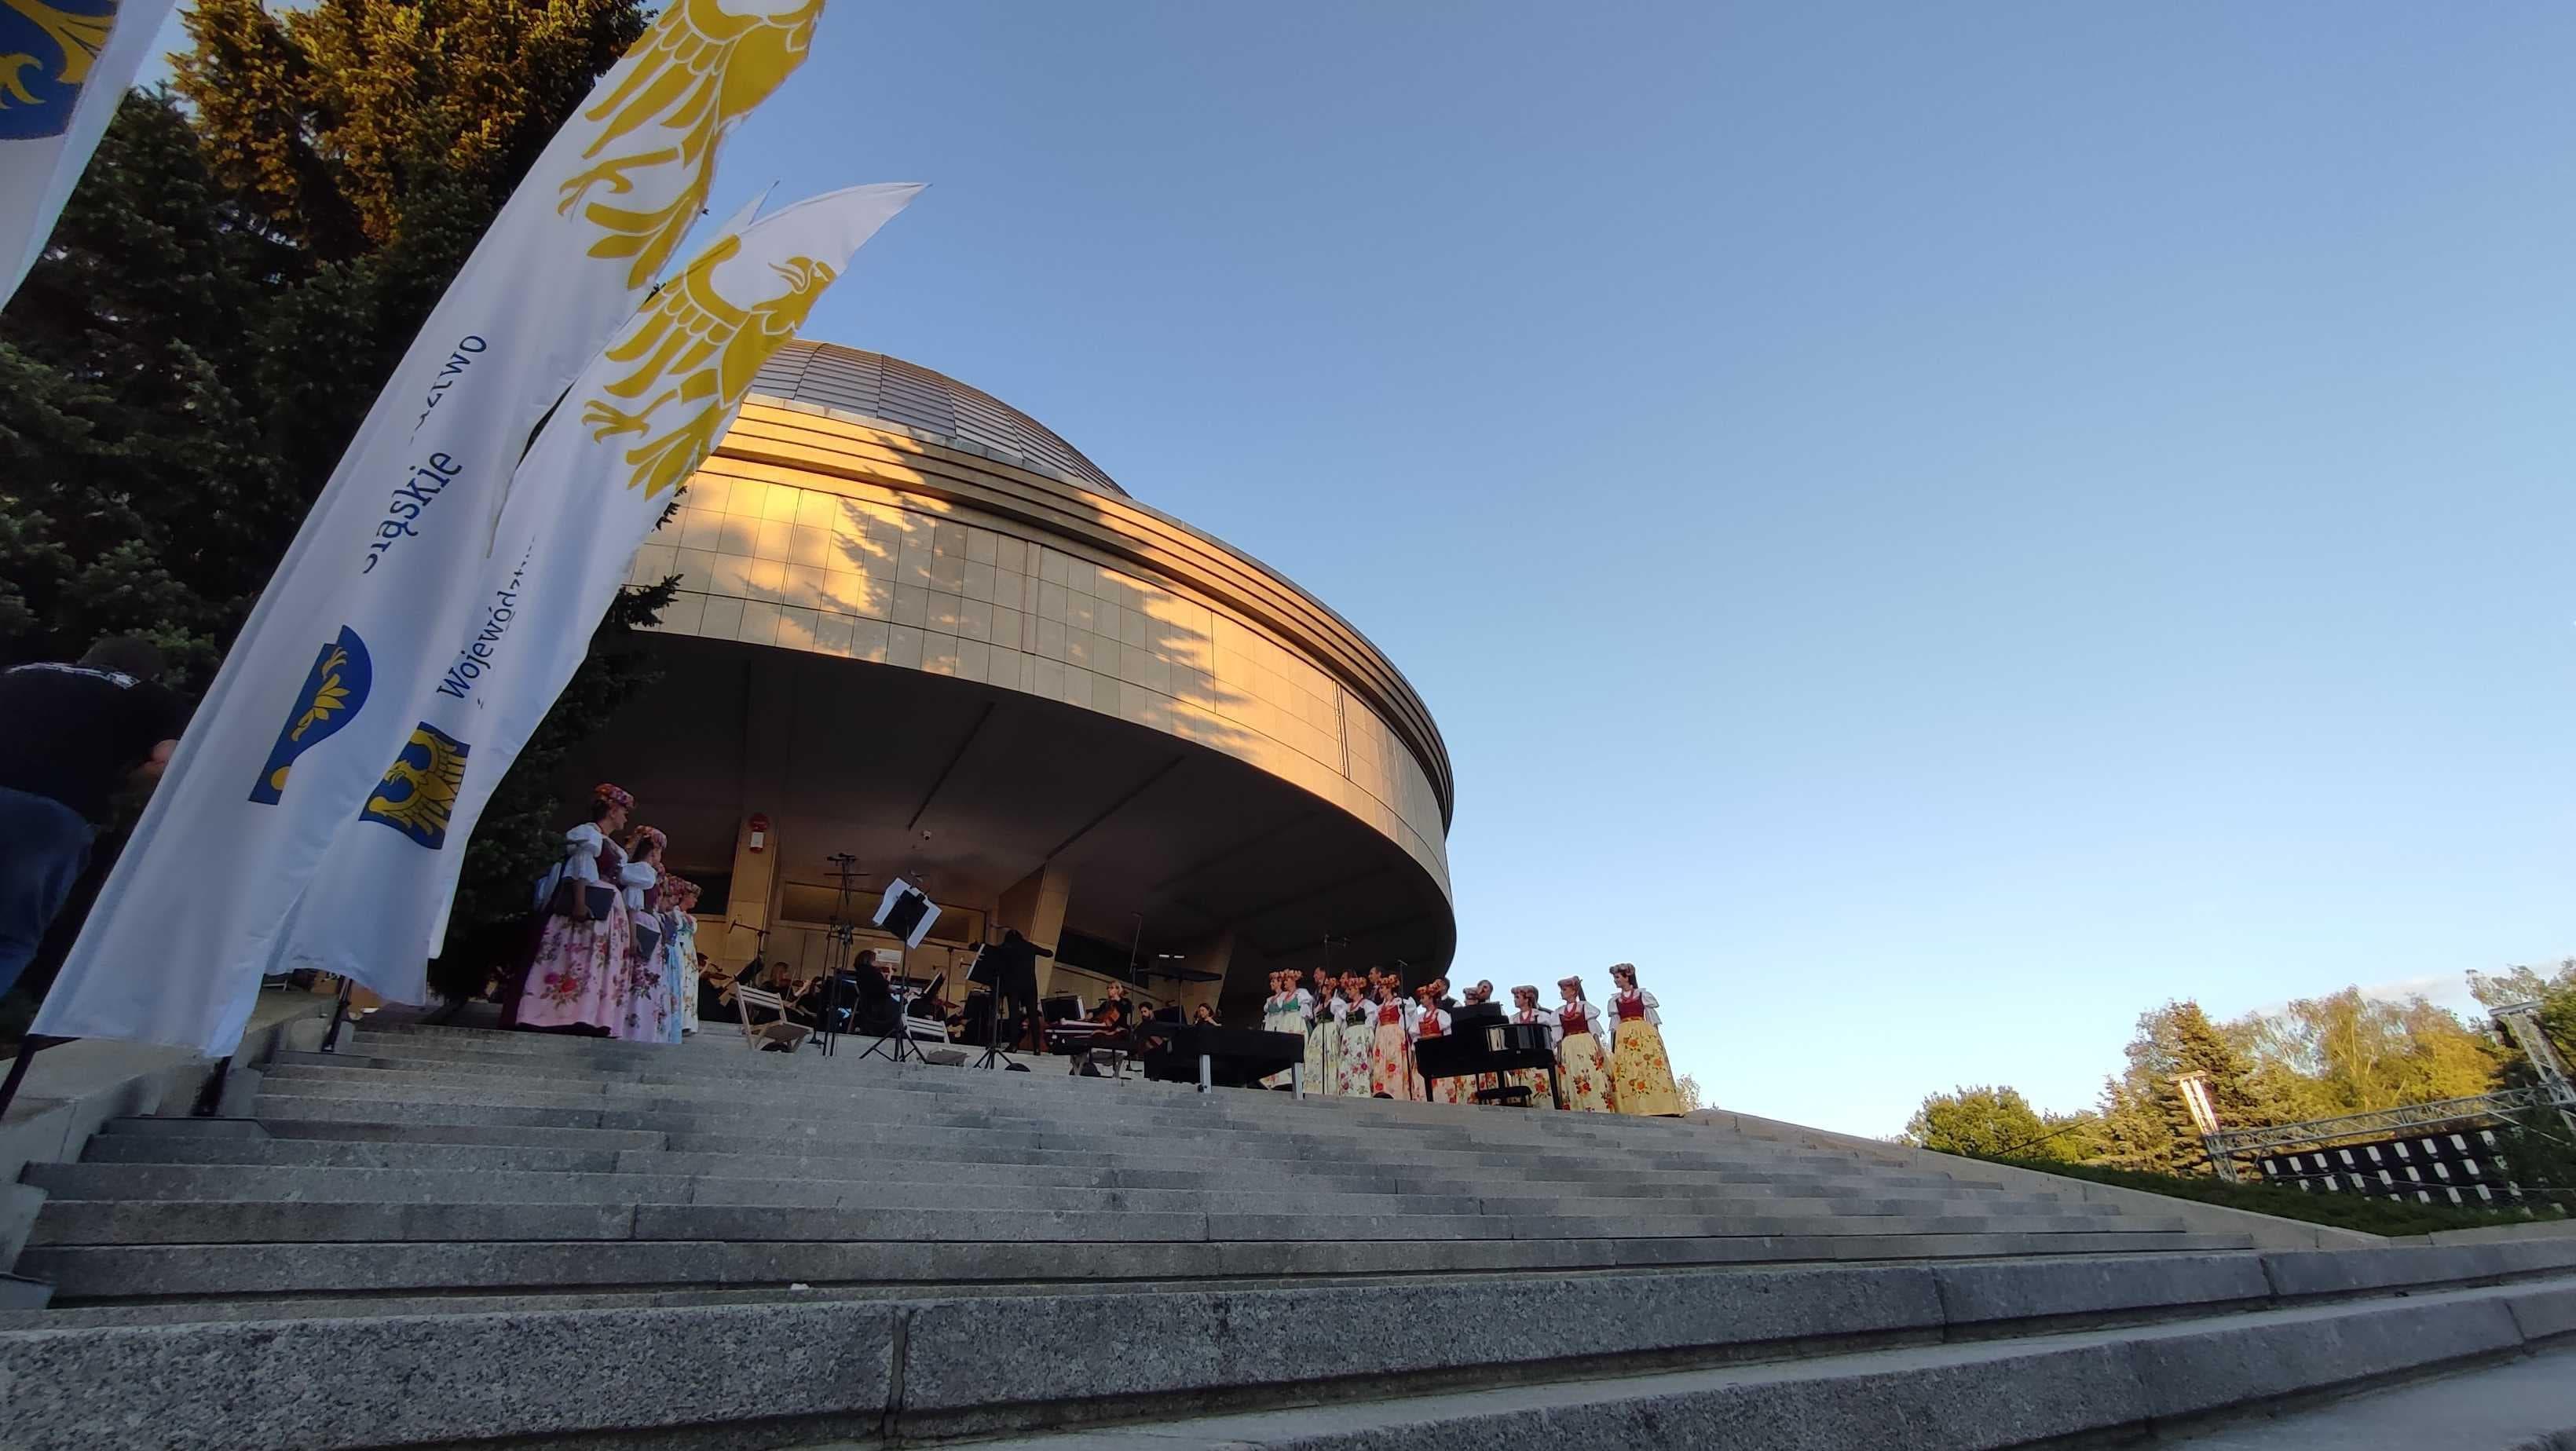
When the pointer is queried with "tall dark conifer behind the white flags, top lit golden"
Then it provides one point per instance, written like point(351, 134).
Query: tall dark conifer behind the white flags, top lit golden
point(225, 295)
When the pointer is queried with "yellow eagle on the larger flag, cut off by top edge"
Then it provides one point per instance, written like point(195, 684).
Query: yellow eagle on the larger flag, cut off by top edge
point(699, 71)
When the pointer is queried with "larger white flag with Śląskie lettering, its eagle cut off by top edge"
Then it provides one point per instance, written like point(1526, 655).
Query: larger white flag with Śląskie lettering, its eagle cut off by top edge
point(328, 679)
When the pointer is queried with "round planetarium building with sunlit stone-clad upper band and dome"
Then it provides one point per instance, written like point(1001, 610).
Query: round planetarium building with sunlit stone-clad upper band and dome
point(921, 635)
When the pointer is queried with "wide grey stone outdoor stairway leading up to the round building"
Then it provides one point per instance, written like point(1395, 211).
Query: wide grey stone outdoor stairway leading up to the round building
point(452, 1236)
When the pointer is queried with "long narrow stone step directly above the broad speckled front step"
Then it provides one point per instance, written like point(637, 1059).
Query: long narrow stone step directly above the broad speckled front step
point(267, 1269)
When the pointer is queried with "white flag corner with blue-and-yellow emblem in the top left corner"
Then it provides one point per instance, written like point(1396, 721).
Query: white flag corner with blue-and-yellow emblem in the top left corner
point(66, 66)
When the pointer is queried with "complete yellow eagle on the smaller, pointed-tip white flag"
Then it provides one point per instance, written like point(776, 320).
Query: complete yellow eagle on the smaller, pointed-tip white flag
point(697, 349)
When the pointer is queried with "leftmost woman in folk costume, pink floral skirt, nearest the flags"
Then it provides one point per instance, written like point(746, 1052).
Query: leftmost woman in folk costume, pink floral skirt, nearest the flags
point(583, 965)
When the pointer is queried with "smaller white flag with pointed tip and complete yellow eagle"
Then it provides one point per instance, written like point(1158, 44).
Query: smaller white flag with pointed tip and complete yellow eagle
point(632, 429)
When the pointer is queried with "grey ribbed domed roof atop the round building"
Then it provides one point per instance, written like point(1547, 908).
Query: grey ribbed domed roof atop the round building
point(926, 406)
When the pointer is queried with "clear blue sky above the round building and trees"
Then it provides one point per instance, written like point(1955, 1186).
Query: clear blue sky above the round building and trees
point(1956, 524)
